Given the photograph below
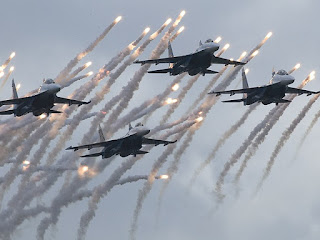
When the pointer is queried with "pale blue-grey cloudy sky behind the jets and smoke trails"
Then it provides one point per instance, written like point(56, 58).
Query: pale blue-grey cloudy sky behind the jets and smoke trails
point(47, 35)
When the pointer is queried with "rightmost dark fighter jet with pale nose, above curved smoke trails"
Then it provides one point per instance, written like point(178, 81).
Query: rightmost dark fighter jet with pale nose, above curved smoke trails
point(274, 92)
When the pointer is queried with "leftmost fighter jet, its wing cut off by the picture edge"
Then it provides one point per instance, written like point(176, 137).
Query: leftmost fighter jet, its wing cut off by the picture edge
point(40, 103)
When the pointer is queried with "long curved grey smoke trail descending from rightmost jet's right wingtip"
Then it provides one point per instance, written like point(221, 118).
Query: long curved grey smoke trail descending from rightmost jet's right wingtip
point(284, 138)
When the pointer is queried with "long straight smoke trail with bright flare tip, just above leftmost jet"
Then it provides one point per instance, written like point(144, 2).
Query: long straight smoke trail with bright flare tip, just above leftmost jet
point(63, 74)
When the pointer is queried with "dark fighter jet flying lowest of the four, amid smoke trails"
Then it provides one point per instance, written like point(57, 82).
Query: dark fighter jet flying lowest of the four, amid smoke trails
point(130, 144)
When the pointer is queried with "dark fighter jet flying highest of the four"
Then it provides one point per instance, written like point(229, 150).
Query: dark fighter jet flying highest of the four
point(194, 63)
